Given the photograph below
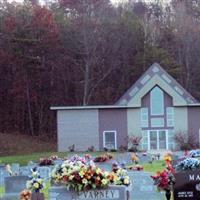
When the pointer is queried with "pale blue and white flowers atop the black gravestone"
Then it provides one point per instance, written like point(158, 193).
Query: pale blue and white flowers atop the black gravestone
point(188, 164)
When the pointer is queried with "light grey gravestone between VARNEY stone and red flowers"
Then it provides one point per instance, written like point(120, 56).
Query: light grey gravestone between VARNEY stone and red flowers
point(143, 187)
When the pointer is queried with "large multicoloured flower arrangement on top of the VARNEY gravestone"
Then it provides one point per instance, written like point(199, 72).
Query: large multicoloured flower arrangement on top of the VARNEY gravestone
point(79, 176)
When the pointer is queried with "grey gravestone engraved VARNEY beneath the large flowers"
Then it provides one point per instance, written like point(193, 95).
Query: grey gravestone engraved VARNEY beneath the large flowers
point(111, 193)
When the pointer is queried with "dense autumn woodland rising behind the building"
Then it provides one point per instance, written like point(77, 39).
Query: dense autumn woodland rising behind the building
point(88, 52)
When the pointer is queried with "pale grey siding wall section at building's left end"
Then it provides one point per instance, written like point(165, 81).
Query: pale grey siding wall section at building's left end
point(79, 127)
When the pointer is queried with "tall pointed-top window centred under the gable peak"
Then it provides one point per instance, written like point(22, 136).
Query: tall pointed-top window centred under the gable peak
point(157, 101)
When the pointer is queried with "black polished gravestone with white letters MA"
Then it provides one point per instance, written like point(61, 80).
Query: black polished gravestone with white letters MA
point(187, 185)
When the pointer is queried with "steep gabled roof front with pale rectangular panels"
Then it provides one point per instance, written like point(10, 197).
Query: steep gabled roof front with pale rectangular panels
point(156, 75)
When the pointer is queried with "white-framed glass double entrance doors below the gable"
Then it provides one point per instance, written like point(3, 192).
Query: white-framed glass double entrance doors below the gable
point(158, 139)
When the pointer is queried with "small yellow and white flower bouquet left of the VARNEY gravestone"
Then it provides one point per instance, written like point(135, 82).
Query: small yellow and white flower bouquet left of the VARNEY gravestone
point(36, 182)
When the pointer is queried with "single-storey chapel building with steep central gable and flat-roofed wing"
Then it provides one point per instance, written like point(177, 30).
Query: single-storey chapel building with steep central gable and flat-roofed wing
point(156, 107)
